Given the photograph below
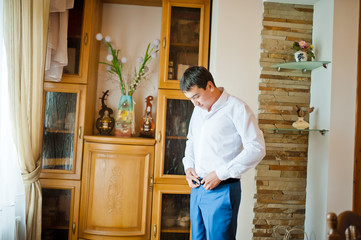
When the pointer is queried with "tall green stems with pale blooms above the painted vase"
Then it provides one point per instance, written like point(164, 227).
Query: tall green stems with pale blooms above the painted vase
point(115, 64)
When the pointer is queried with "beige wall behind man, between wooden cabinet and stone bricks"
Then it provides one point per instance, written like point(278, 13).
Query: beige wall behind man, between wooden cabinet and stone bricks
point(234, 62)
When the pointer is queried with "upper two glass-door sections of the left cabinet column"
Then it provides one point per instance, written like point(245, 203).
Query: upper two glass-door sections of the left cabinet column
point(72, 100)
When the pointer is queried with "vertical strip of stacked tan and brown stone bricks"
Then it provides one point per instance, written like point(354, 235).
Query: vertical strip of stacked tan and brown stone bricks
point(281, 176)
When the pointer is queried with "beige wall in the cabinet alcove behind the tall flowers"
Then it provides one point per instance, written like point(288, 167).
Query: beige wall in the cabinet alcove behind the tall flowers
point(131, 28)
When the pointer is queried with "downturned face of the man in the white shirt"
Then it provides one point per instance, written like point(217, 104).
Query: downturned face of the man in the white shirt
point(200, 97)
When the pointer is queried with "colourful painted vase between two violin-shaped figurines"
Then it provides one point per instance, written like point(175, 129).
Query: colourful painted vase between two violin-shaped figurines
point(125, 117)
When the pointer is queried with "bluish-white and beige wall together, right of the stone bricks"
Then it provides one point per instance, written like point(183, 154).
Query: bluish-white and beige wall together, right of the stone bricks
point(331, 159)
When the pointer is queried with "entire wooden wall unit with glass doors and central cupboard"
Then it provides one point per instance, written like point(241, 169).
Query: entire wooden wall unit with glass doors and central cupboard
point(117, 175)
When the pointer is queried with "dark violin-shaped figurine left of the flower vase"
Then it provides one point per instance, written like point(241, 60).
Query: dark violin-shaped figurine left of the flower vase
point(105, 123)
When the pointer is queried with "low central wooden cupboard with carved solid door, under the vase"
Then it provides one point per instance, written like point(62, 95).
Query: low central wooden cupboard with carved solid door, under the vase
point(116, 188)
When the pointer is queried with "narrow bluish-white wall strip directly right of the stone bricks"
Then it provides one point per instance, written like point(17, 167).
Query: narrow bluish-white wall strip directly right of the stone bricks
point(318, 156)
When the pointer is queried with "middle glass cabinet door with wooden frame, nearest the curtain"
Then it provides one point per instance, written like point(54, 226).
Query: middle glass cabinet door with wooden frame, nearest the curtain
point(62, 133)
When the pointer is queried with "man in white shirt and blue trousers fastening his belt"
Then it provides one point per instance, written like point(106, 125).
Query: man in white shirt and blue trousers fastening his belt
point(224, 141)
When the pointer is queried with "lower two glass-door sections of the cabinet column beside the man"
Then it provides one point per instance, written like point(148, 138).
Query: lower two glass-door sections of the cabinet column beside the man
point(170, 217)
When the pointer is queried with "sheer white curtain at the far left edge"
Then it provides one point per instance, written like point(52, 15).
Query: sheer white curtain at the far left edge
point(12, 193)
